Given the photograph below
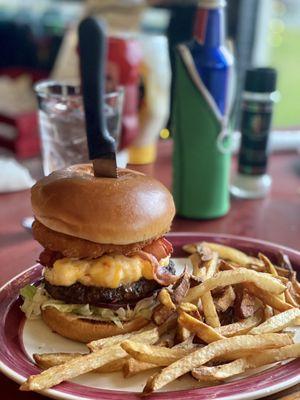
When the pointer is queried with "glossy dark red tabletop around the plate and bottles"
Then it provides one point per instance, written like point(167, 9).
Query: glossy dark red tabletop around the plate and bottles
point(275, 218)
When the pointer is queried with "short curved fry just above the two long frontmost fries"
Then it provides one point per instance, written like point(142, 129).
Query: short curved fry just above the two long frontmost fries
point(155, 354)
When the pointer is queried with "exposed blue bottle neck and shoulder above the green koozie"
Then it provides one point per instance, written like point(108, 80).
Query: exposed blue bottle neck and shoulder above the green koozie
point(212, 59)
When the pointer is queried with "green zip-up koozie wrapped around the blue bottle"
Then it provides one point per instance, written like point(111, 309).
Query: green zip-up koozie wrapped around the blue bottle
point(200, 167)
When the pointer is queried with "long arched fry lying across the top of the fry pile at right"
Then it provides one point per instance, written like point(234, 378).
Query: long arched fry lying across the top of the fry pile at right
point(226, 278)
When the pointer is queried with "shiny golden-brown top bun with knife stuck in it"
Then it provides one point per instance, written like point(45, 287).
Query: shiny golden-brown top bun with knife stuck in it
point(132, 208)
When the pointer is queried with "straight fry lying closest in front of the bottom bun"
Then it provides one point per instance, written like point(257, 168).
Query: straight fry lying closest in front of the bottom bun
point(151, 330)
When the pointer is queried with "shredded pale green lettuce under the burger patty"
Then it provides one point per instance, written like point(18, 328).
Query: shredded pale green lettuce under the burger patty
point(37, 299)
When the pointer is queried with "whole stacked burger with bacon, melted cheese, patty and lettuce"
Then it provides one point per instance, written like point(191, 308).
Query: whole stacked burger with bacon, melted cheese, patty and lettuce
point(105, 256)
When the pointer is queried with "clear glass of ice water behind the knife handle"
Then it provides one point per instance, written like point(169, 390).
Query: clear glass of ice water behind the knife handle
point(62, 123)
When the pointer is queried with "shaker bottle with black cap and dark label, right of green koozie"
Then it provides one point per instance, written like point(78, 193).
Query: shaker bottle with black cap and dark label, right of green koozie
point(252, 180)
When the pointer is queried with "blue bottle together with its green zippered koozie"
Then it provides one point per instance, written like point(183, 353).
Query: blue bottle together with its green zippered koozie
point(201, 159)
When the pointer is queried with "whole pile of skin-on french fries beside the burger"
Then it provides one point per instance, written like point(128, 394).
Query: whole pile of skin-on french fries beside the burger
point(226, 317)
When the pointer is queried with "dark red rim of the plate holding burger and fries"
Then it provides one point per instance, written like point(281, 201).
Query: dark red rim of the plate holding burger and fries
point(15, 364)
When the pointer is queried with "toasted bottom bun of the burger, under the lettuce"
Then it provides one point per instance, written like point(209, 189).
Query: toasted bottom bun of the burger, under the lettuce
point(84, 330)
